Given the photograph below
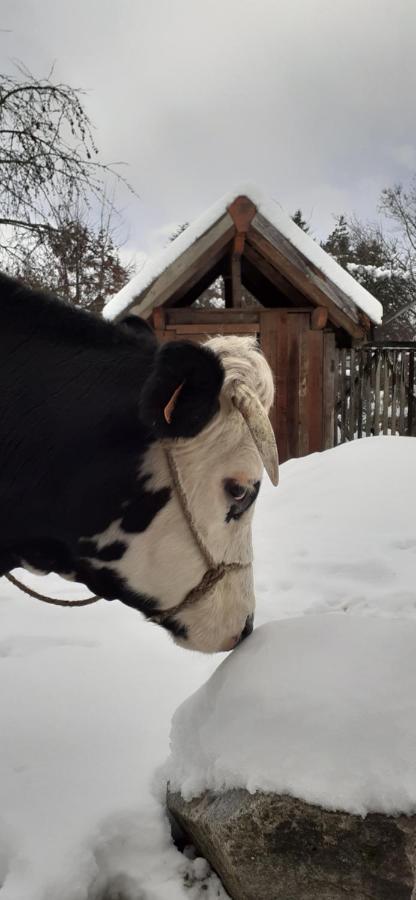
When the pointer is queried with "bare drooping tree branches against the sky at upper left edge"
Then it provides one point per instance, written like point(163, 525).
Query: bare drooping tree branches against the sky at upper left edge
point(47, 154)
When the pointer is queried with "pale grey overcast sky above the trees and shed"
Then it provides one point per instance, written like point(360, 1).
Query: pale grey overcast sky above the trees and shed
point(312, 100)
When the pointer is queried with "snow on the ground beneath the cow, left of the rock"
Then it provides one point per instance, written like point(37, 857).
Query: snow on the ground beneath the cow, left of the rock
point(86, 701)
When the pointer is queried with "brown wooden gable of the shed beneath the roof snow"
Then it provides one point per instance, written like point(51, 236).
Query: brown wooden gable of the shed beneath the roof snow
point(248, 250)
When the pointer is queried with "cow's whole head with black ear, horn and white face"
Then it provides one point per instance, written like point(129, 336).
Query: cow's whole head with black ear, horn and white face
point(207, 408)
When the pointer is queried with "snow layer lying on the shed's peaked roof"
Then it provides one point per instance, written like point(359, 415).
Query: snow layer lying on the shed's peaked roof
point(276, 215)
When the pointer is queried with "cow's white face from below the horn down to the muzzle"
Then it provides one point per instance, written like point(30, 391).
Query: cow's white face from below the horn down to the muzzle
point(210, 474)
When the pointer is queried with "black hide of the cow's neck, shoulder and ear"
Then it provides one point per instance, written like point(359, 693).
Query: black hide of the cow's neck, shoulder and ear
point(72, 440)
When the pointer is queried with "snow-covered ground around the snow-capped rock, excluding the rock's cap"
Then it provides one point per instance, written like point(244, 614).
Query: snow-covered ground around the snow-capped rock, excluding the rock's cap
point(87, 695)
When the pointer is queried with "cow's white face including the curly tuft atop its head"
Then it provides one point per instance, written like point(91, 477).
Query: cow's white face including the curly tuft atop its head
point(220, 471)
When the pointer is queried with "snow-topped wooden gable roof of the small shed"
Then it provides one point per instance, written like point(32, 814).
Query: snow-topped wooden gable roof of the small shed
point(286, 255)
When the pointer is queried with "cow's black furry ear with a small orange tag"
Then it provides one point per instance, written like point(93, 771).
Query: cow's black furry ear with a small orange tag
point(181, 394)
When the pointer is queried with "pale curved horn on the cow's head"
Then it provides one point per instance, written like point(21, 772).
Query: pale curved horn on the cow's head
point(260, 428)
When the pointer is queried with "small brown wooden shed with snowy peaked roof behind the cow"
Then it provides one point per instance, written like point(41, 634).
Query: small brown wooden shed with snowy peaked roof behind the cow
point(279, 285)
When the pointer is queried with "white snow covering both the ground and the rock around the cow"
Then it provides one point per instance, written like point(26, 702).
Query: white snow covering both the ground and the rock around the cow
point(88, 694)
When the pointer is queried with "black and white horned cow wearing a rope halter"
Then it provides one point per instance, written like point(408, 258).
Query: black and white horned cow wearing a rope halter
point(93, 416)
